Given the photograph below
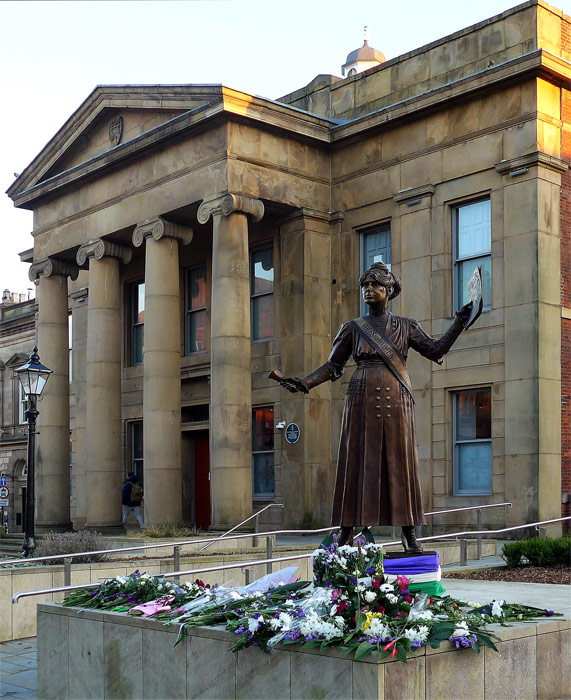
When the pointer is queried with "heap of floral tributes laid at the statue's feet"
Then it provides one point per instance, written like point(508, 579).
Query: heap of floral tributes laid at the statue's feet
point(351, 606)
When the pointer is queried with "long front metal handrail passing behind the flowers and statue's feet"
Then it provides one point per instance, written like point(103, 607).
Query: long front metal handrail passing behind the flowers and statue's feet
point(458, 535)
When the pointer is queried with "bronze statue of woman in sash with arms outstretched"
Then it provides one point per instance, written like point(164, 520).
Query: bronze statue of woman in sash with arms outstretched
point(377, 479)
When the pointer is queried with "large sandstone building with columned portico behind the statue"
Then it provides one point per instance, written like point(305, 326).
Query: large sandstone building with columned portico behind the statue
point(200, 236)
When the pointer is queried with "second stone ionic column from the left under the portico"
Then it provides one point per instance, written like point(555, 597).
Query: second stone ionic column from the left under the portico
point(103, 382)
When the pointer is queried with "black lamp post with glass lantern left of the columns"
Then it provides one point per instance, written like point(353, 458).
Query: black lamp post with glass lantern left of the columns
point(33, 377)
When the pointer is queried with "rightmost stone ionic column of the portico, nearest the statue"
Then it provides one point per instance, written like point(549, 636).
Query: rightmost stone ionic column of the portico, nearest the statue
point(230, 384)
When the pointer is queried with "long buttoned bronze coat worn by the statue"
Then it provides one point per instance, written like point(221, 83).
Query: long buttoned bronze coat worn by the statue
point(377, 479)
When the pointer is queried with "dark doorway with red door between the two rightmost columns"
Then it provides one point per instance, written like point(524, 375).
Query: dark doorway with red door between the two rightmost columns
point(196, 479)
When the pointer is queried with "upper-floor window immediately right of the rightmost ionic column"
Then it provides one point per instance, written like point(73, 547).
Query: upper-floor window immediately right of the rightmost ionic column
point(262, 293)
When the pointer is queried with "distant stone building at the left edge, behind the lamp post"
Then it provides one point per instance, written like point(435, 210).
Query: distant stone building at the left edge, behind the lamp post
point(17, 338)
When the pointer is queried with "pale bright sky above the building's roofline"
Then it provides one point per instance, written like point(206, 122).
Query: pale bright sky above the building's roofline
point(53, 54)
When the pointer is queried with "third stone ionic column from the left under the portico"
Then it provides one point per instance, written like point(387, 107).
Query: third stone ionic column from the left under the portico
point(161, 369)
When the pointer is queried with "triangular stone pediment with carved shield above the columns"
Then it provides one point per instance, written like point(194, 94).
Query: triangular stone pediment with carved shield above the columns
point(109, 117)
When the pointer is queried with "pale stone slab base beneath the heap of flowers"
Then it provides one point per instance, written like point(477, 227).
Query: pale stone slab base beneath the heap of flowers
point(95, 654)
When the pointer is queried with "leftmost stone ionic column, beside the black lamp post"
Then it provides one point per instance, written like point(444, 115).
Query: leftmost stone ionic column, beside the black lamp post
point(53, 447)
